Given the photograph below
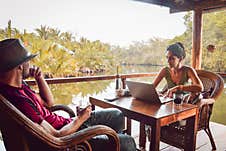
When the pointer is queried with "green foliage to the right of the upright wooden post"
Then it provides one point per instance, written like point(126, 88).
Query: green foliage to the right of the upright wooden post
point(214, 32)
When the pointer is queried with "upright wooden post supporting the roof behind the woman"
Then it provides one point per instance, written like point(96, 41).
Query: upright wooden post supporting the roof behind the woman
point(197, 40)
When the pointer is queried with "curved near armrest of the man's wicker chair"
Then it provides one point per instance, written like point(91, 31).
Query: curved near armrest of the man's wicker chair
point(88, 133)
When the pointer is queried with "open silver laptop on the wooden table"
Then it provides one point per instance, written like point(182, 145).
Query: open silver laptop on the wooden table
point(145, 92)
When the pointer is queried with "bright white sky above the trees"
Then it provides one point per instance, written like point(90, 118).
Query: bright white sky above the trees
point(118, 22)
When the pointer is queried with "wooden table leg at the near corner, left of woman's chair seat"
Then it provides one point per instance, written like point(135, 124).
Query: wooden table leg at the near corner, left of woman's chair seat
point(155, 136)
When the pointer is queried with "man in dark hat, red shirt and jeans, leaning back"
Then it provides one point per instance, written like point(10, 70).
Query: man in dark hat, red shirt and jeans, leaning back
point(15, 67)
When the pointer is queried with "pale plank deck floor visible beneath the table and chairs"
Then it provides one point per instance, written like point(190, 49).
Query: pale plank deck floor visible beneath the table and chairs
point(203, 144)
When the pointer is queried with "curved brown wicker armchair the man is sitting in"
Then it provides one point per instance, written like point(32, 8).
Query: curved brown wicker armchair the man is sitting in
point(20, 133)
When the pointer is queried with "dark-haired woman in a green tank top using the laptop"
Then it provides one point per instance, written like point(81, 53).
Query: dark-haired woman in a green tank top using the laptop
point(177, 75)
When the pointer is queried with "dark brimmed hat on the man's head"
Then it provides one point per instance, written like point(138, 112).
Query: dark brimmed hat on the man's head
point(12, 54)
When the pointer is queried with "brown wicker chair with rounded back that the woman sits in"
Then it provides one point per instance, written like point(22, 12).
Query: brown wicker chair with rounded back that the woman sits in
point(178, 136)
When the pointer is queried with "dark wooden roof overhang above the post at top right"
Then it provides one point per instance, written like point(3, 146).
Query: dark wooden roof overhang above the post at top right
point(188, 5)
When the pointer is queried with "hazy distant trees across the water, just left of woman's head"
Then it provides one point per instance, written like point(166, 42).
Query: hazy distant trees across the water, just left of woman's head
point(151, 52)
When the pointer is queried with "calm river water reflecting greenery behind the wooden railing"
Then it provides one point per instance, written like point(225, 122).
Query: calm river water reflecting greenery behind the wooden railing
point(63, 92)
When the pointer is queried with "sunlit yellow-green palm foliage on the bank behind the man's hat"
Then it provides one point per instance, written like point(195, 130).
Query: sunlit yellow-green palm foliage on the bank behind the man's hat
point(60, 54)
